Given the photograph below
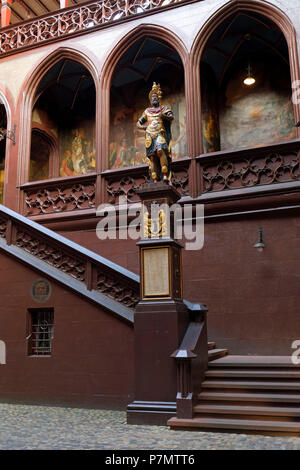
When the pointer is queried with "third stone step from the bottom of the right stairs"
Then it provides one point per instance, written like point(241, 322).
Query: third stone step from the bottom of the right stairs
point(250, 397)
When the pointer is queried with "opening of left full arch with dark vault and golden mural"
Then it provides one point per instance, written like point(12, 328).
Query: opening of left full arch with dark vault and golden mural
point(63, 122)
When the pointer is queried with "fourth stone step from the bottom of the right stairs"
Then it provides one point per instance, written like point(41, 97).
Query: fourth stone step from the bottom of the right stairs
point(255, 384)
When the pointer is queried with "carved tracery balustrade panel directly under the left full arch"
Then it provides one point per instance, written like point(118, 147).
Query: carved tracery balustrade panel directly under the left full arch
point(62, 197)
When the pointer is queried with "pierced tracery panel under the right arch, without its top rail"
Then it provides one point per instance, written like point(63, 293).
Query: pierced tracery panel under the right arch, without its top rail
point(263, 169)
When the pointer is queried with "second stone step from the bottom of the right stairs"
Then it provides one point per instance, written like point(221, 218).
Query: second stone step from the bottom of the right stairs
point(247, 410)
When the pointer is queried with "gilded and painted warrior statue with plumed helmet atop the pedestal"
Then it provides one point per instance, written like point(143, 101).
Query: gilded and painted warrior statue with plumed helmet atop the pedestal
point(156, 121)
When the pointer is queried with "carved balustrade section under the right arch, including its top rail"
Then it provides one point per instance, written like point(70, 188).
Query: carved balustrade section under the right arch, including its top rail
point(249, 168)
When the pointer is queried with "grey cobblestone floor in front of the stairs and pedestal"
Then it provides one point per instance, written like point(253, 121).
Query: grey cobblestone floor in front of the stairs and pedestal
point(41, 427)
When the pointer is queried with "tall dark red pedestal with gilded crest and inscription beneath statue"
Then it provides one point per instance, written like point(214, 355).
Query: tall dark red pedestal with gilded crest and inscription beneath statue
point(161, 317)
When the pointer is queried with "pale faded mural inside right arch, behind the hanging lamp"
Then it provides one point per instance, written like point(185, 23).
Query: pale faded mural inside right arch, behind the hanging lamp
point(263, 112)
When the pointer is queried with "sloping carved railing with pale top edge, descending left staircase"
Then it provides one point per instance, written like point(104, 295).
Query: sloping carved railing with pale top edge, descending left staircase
point(96, 272)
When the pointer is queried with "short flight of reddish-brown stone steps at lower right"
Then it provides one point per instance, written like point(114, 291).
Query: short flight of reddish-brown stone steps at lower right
point(248, 394)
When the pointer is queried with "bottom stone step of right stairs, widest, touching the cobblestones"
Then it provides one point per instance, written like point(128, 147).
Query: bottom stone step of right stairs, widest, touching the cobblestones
point(235, 425)
